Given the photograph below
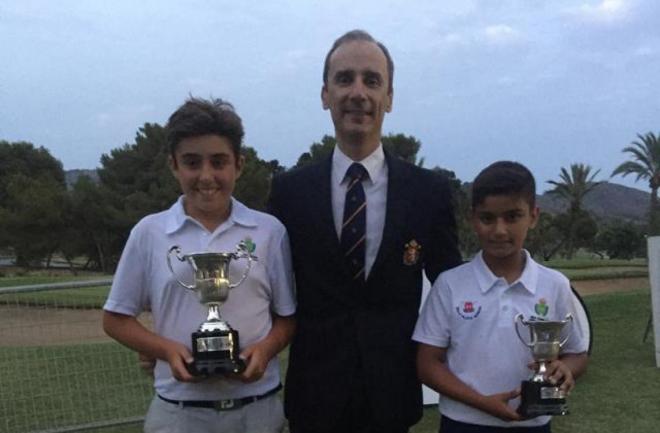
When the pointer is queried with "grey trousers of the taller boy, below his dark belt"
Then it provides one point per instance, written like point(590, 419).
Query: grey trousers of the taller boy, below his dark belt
point(262, 416)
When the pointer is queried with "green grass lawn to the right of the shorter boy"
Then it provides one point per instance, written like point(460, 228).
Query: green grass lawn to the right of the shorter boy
point(620, 391)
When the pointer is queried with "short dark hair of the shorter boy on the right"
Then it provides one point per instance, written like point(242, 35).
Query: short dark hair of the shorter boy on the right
point(504, 178)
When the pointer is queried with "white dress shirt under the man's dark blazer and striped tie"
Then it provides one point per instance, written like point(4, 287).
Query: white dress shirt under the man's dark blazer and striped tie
point(375, 192)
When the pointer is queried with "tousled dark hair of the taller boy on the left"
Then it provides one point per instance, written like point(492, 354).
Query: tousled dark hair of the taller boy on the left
point(199, 116)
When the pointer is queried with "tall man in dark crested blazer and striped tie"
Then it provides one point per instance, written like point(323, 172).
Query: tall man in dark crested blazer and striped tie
point(359, 244)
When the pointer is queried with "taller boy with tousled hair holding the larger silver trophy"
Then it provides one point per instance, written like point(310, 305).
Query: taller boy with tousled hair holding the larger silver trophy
point(204, 139)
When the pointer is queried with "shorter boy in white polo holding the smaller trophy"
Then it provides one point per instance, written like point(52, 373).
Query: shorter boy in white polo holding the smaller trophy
point(469, 351)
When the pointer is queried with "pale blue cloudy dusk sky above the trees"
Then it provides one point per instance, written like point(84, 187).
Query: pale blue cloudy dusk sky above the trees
point(547, 83)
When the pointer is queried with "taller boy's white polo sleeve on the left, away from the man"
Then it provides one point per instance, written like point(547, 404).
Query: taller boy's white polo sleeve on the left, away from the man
point(129, 294)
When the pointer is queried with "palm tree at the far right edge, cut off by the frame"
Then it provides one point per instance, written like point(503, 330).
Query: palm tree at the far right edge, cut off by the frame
point(645, 164)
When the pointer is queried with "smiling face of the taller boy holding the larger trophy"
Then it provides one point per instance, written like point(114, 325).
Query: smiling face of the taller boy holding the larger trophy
point(207, 170)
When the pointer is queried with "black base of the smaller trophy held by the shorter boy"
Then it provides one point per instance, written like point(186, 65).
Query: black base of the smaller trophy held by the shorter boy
point(539, 398)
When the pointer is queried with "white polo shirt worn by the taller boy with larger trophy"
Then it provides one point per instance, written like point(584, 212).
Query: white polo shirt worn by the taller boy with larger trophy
point(143, 280)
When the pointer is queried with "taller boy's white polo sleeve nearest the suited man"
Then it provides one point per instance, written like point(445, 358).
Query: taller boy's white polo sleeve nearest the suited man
point(280, 274)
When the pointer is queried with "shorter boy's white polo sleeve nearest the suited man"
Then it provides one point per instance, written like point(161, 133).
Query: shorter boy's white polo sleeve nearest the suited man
point(433, 324)
